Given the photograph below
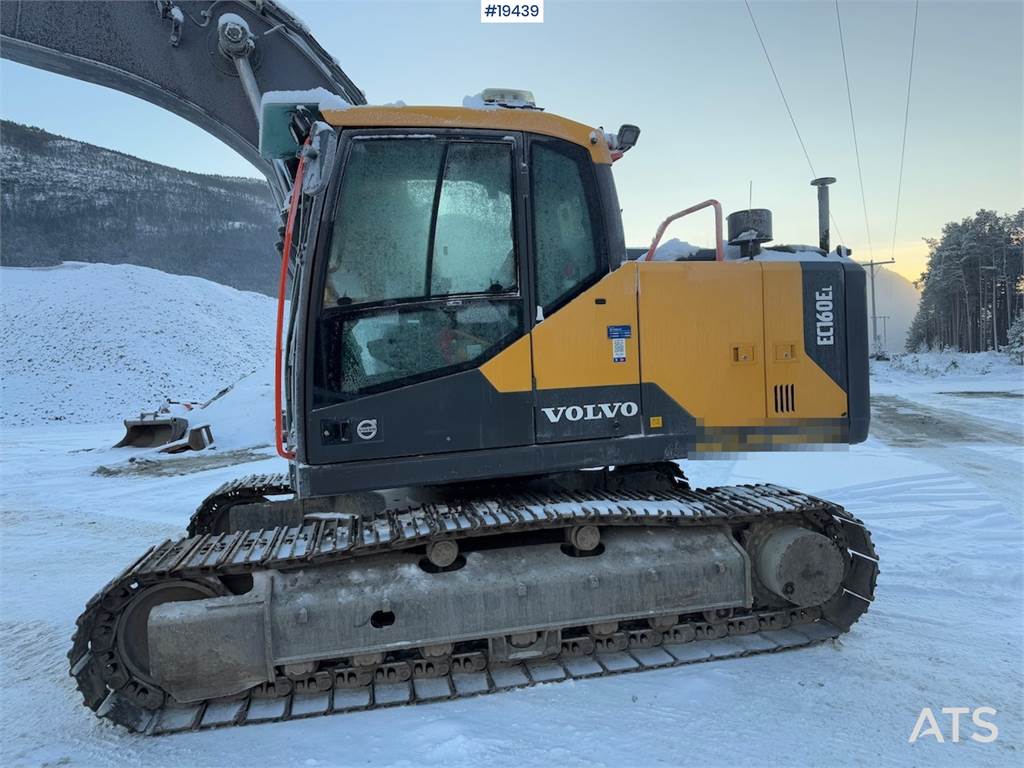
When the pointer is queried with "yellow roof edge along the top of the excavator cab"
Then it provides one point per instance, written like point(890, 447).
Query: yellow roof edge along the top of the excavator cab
point(531, 121)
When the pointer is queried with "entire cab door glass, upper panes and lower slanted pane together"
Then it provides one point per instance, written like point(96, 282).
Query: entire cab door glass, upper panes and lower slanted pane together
point(422, 277)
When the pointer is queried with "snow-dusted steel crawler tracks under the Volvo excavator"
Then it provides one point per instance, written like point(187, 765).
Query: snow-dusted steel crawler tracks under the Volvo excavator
point(110, 688)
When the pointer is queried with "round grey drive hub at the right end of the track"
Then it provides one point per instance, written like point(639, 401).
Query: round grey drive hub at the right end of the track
point(799, 566)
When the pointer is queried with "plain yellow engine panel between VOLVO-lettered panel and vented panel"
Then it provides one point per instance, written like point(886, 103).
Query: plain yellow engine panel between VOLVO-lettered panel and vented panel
point(702, 338)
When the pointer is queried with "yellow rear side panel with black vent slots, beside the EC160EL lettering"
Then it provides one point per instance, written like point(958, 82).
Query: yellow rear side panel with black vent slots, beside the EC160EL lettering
point(787, 364)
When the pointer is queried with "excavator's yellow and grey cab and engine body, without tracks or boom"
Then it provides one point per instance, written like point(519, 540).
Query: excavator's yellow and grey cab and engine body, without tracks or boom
point(464, 309)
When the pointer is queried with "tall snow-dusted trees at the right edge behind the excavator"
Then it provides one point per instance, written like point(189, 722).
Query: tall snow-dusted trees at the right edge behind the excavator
point(972, 289)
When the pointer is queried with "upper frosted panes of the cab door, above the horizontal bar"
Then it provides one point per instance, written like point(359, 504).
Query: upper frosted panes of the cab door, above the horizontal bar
point(420, 219)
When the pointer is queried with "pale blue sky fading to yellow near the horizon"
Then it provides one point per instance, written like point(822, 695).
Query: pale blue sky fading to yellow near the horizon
point(694, 77)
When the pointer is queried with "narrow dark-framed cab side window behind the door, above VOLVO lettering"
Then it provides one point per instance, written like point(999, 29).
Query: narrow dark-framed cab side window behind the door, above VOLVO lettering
point(566, 232)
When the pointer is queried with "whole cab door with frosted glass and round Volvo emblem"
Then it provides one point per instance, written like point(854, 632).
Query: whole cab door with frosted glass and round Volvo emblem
point(419, 313)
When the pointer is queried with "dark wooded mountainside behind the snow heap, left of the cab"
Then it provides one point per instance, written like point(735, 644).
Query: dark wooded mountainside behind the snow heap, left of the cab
point(63, 200)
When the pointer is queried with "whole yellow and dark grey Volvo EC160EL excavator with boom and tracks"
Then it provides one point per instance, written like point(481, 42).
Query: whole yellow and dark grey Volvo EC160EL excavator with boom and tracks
point(482, 400)
